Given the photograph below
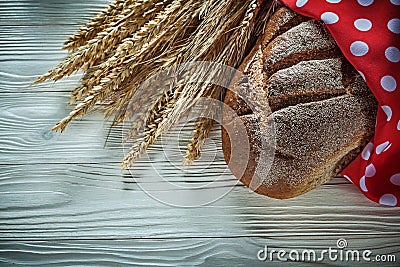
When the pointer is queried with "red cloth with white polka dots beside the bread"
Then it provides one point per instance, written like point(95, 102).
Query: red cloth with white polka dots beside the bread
point(368, 33)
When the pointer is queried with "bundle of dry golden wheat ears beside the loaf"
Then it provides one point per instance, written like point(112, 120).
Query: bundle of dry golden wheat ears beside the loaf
point(131, 40)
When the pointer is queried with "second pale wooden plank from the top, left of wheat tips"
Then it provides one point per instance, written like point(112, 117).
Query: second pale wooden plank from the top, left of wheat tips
point(22, 47)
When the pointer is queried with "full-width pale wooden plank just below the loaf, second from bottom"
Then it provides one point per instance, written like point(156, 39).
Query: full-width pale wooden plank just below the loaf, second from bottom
point(55, 201)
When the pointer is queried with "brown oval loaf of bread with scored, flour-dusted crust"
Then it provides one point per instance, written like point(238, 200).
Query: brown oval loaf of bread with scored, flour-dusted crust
point(322, 111)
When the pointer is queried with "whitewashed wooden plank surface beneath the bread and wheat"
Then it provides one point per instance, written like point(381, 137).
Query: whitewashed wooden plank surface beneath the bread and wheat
point(65, 201)
